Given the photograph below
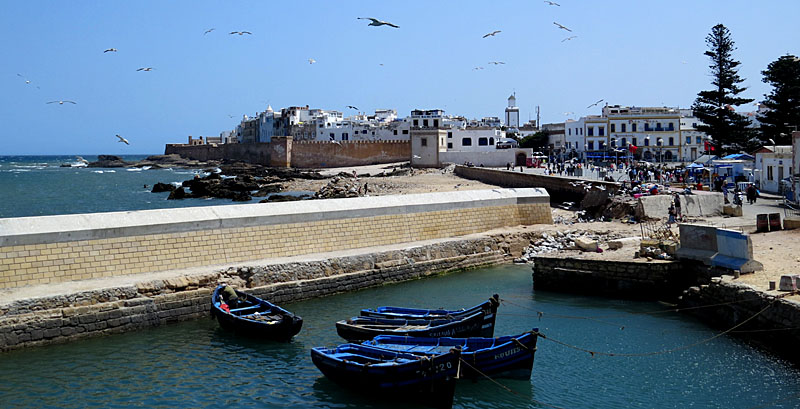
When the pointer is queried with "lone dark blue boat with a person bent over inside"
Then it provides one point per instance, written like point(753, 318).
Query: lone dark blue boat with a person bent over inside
point(256, 317)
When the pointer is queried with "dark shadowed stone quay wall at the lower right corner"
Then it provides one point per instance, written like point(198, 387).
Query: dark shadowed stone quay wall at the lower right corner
point(765, 317)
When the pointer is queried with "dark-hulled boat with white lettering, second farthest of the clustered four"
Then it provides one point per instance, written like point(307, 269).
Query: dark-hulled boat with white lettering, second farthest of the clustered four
point(359, 329)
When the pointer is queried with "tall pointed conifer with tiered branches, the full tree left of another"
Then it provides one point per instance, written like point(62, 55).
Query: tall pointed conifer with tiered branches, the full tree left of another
point(730, 131)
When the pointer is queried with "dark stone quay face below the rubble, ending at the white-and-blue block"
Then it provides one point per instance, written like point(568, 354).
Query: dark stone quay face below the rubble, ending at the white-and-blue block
point(627, 279)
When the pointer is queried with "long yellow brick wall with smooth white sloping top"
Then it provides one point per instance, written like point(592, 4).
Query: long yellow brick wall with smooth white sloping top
point(41, 250)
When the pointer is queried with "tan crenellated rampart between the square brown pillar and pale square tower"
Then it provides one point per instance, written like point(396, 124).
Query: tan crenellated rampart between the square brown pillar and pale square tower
point(313, 154)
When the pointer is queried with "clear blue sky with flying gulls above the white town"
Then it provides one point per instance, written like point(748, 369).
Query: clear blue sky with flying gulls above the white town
point(645, 53)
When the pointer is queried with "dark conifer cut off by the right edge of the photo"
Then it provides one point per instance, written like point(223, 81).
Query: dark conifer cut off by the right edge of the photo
point(783, 103)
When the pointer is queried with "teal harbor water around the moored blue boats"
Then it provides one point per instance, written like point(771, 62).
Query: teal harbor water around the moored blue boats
point(196, 364)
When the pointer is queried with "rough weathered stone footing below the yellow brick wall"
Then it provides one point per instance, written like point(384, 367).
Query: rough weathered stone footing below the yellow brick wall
point(62, 318)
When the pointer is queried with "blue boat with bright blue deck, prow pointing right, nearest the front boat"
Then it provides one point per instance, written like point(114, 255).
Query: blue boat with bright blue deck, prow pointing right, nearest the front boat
point(508, 356)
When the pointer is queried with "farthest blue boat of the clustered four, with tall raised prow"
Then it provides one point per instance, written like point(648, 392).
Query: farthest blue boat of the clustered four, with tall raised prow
point(488, 308)
